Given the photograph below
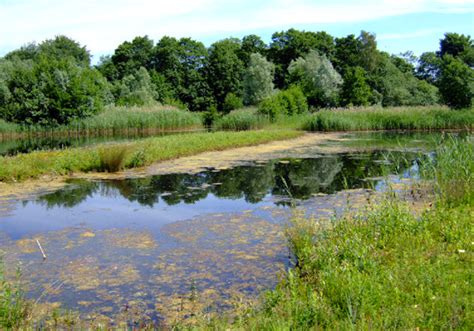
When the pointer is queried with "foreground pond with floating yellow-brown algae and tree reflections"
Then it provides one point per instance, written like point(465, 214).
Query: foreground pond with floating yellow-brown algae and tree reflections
point(168, 246)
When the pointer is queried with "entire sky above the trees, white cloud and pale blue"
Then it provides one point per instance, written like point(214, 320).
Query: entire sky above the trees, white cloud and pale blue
point(399, 25)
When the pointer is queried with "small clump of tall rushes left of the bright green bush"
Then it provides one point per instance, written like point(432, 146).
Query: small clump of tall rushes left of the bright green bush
point(240, 120)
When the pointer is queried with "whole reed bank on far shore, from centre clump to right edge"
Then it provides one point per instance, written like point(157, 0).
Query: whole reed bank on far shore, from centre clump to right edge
point(426, 118)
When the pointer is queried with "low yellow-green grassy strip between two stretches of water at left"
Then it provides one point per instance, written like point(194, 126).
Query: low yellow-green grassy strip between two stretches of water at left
point(112, 157)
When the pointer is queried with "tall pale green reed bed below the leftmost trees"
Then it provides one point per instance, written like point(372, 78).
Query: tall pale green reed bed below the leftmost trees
point(113, 120)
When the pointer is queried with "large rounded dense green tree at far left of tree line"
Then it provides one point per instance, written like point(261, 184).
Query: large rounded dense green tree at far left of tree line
point(52, 87)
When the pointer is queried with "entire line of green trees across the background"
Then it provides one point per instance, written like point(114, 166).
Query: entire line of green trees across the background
point(54, 82)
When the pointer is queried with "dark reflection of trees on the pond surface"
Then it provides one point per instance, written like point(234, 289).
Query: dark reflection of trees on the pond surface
point(298, 178)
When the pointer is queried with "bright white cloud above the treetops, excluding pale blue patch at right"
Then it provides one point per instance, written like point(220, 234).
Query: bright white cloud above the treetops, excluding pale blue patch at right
point(102, 25)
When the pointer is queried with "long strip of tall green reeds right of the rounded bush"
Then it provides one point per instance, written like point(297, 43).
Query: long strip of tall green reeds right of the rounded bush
point(403, 118)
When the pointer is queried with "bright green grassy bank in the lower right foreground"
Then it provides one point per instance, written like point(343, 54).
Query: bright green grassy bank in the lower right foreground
point(383, 268)
